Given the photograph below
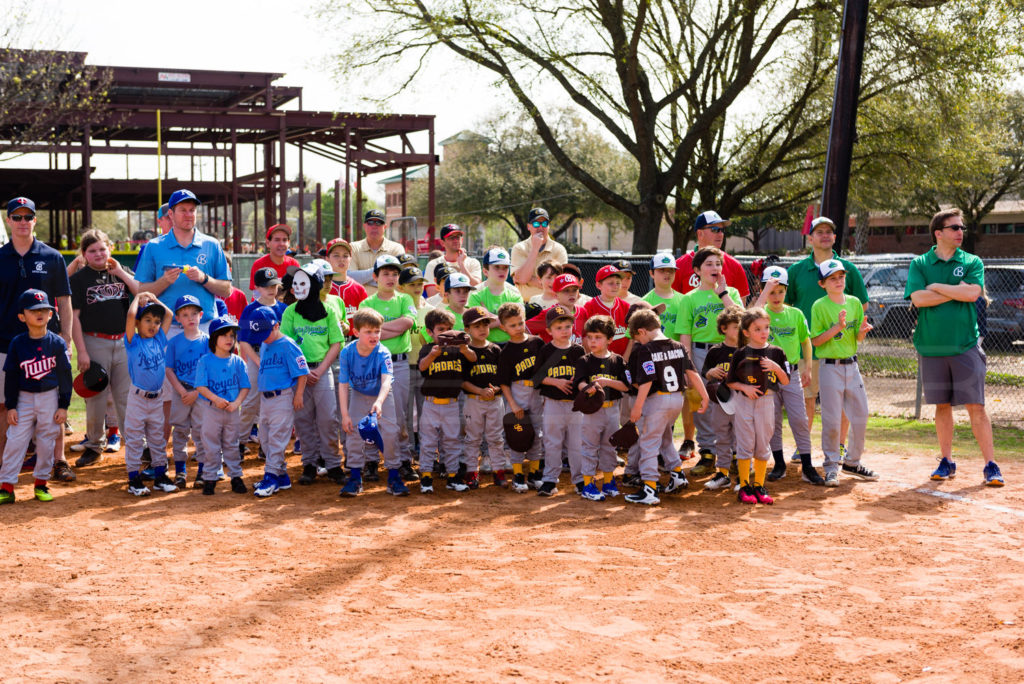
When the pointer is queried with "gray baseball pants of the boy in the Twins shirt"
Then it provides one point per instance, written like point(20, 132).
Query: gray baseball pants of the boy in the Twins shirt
point(35, 419)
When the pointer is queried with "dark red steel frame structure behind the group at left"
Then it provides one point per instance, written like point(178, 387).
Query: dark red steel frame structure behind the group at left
point(219, 116)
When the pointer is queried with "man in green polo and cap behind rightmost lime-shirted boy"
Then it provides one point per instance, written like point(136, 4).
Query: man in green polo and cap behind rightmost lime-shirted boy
point(804, 291)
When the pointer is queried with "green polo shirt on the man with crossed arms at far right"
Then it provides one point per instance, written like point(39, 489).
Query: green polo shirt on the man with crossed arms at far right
point(951, 328)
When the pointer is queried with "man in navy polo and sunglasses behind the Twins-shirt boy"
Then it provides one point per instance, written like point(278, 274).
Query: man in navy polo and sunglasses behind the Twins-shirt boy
point(27, 263)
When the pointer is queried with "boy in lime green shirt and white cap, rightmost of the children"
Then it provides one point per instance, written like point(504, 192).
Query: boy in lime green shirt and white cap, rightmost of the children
point(838, 325)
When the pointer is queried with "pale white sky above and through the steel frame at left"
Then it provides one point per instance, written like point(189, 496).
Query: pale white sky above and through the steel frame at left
point(254, 36)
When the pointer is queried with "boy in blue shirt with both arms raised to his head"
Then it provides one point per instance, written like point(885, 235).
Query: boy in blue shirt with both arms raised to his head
point(146, 343)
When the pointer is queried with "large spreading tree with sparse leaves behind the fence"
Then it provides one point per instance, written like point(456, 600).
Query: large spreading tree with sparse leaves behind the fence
point(668, 80)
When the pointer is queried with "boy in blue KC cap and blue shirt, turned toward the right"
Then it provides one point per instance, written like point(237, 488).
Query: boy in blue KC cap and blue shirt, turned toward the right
point(282, 383)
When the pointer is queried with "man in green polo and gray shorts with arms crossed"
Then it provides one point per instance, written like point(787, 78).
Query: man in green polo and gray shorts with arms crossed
point(944, 284)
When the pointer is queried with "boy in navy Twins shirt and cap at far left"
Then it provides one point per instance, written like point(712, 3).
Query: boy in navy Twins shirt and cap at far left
point(37, 394)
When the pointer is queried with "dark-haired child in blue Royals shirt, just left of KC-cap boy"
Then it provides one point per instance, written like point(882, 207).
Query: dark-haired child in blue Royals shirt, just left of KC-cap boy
point(224, 383)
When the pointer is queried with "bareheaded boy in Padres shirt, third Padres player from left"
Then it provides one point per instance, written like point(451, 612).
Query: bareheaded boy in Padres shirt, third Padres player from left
point(517, 364)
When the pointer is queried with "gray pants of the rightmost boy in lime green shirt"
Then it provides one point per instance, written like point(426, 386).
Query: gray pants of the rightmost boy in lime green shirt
point(841, 391)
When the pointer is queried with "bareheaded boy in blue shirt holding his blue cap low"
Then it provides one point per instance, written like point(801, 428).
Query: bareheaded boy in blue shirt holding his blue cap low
point(366, 367)
